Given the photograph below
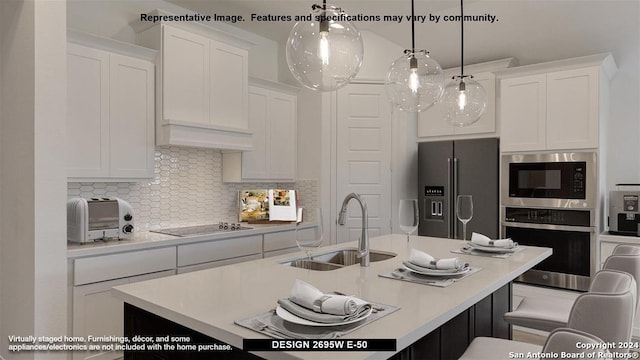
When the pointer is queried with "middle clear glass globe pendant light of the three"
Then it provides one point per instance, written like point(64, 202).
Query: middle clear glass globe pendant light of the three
point(414, 81)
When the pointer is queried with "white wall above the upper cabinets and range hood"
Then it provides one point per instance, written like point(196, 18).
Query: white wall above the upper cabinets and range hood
point(111, 19)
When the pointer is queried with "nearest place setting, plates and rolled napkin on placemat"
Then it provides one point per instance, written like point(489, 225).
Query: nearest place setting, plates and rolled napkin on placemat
point(308, 313)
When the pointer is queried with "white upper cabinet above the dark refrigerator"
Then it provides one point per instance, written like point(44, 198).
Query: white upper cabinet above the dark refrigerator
point(431, 123)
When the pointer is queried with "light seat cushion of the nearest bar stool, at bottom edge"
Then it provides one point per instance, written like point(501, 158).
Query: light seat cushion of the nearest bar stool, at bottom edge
point(482, 348)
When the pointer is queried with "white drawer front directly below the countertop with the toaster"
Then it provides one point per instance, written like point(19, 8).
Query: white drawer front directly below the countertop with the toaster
point(115, 266)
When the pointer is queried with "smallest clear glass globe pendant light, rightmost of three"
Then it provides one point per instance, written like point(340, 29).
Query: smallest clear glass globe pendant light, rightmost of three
point(464, 99)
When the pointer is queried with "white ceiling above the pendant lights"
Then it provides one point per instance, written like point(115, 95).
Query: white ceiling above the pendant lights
point(531, 30)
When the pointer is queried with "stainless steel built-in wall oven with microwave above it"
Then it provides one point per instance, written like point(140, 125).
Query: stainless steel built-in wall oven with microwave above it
point(550, 200)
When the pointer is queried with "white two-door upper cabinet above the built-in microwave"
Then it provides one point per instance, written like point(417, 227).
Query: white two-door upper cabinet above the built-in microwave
point(555, 106)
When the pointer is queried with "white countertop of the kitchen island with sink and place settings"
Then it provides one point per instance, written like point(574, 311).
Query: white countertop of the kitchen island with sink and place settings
point(210, 300)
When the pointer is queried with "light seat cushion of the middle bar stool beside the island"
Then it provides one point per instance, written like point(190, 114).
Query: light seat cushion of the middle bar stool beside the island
point(541, 313)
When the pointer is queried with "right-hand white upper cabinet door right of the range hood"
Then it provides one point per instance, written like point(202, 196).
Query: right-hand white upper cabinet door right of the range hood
point(282, 136)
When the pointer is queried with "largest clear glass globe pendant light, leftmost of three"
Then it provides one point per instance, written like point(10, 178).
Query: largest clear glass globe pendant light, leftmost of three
point(325, 53)
